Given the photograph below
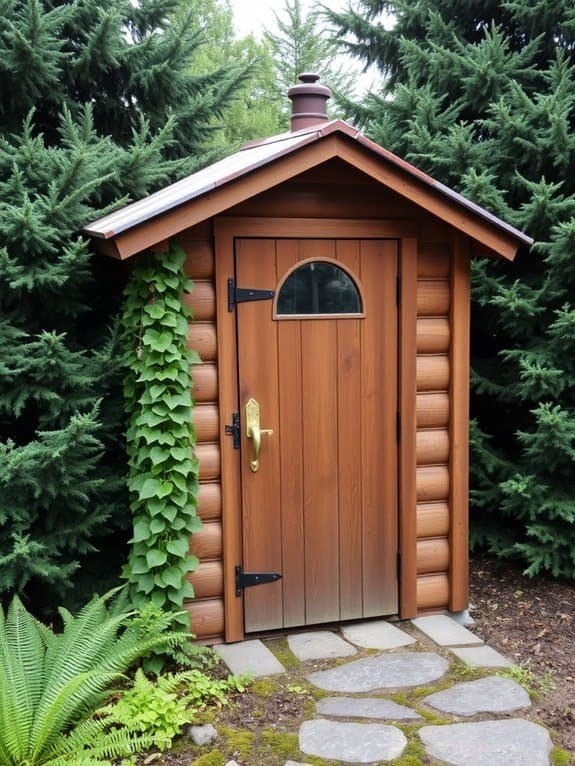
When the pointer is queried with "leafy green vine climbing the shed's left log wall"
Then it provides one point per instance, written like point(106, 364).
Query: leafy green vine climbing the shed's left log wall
point(163, 472)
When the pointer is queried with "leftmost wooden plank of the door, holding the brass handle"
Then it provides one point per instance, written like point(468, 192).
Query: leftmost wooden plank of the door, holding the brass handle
point(258, 376)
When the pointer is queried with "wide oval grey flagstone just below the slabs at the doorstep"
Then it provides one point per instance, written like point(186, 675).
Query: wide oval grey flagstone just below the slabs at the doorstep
point(388, 671)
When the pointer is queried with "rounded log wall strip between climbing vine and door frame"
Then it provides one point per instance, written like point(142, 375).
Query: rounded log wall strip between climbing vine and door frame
point(207, 609)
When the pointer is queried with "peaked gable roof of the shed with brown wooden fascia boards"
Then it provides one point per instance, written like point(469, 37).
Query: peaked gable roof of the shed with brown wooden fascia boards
point(139, 224)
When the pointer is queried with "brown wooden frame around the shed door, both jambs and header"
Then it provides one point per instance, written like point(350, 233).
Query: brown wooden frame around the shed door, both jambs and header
point(226, 230)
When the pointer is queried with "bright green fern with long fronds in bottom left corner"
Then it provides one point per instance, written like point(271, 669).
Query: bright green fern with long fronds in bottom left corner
point(51, 684)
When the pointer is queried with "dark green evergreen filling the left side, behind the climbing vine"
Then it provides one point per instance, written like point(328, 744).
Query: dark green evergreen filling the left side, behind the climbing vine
point(100, 103)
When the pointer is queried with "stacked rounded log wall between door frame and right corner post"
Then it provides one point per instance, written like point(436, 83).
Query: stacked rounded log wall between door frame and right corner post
point(432, 439)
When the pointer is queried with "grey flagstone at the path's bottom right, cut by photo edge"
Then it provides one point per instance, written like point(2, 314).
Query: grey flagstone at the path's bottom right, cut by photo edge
point(514, 742)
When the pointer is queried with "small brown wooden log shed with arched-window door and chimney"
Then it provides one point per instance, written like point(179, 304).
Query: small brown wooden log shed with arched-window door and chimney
point(331, 307)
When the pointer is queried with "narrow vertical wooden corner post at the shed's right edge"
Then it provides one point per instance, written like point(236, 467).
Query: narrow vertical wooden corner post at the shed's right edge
point(459, 425)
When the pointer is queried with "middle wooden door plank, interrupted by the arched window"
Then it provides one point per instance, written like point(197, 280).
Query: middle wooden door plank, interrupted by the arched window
point(319, 397)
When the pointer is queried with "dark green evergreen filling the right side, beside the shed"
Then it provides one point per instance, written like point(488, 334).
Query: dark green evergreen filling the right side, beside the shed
point(481, 94)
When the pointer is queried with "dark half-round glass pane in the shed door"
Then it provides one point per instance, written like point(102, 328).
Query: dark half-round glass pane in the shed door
point(319, 288)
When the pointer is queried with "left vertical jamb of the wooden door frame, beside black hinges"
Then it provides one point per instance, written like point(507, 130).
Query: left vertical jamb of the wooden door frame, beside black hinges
point(228, 403)
